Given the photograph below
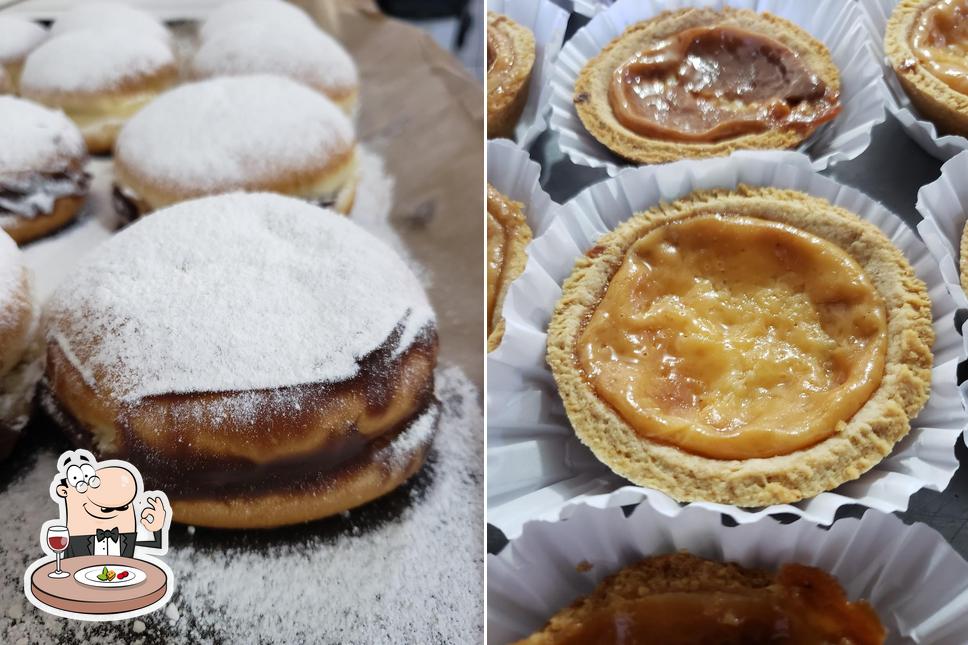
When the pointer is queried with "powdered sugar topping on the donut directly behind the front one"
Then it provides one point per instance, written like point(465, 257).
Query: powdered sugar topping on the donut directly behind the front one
point(233, 133)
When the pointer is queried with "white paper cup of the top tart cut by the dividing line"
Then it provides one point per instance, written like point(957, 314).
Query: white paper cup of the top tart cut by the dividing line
point(548, 22)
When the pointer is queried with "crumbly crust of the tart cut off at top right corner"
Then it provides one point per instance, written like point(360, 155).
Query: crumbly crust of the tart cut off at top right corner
point(935, 99)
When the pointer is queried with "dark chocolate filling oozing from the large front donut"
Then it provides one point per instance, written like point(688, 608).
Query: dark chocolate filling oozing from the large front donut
point(191, 476)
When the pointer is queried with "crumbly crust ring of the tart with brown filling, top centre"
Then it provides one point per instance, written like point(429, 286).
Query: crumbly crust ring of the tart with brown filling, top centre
point(592, 87)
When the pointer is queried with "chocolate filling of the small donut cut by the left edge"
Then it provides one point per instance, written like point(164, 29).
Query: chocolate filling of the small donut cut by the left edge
point(34, 193)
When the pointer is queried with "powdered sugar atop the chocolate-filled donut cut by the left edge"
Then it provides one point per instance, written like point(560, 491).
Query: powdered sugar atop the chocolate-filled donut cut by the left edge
point(35, 138)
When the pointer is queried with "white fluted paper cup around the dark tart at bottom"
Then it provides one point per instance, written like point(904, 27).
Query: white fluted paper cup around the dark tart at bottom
point(914, 580)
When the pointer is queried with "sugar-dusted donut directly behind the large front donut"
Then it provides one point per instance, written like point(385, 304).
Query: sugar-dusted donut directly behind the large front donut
point(252, 133)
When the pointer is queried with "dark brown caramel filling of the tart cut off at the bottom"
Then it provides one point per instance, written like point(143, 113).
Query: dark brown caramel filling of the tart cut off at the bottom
point(805, 606)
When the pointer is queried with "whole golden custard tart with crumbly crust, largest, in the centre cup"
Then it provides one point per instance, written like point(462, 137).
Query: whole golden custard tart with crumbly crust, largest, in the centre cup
point(747, 347)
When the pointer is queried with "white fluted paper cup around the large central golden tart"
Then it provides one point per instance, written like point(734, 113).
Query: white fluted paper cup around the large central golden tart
point(538, 469)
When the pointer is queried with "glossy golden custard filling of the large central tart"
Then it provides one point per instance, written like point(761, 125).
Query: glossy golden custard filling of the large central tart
point(734, 337)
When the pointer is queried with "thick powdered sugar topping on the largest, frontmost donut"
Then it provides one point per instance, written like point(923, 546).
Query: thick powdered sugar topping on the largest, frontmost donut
point(233, 292)
